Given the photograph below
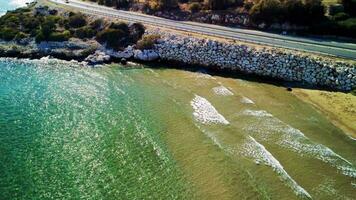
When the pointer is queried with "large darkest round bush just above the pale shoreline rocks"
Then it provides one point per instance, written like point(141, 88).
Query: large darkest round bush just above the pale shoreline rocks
point(113, 38)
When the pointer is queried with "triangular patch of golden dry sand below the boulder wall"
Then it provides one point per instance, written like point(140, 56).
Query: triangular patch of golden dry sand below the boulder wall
point(339, 107)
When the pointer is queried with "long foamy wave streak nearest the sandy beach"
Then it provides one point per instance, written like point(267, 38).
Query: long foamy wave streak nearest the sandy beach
point(291, 138)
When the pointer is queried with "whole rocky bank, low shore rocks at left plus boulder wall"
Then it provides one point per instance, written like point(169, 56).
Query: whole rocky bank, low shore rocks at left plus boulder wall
point(229, 56)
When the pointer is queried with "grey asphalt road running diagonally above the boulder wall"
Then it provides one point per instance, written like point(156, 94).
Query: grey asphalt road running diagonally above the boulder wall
point(329, 47)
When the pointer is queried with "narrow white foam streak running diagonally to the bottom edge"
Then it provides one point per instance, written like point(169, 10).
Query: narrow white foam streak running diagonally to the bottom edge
point(257, 151)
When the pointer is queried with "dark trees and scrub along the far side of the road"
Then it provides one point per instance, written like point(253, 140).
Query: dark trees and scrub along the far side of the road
point(336, 17)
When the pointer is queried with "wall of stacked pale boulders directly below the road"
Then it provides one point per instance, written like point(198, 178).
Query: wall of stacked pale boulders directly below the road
point(269, 62)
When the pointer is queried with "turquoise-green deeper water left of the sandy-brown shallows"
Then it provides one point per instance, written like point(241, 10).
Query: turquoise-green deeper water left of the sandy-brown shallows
point(74, 133)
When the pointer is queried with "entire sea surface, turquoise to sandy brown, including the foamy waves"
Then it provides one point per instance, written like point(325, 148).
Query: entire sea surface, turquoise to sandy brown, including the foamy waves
point(73, 132)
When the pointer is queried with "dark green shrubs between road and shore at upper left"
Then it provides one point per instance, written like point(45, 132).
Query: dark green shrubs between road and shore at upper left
point(44, 24)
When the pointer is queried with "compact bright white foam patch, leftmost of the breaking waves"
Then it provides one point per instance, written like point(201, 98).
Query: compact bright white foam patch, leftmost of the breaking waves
point(205, 113)
